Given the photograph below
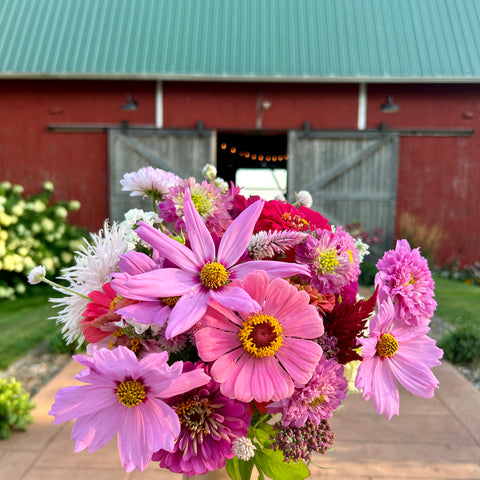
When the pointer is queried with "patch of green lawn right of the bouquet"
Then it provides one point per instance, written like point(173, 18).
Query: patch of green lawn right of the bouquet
point(458, 303)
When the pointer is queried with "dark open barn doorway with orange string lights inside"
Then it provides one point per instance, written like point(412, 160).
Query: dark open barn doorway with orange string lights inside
point(255, 162)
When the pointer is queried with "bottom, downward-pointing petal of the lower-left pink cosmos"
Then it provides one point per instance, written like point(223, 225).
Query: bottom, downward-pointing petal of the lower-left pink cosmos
point(133, 442)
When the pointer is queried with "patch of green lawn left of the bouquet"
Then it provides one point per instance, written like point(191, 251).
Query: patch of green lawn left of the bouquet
point(24, 324)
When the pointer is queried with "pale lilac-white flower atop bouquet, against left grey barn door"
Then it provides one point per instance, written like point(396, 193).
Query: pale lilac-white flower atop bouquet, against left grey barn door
point(149, 182)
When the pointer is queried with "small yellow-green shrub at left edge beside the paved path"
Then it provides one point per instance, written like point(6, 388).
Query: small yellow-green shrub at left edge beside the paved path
point(15, 407)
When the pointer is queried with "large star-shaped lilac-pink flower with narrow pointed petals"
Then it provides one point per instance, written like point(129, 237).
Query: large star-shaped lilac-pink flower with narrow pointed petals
point(202, 273)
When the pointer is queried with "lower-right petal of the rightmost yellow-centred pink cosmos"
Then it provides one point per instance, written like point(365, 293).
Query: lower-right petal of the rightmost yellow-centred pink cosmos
point(413, 375)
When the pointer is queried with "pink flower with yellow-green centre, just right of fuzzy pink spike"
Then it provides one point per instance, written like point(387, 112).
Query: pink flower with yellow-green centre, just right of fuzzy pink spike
point(332, 258)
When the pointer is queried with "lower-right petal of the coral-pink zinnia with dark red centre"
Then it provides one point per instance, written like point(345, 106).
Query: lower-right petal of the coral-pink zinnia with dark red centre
point(299, 358)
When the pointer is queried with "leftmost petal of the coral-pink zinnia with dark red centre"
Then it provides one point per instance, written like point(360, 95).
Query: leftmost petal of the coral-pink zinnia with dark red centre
point(213, 343)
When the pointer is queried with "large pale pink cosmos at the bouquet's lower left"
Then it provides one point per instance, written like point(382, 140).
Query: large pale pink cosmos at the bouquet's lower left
point(125, 396)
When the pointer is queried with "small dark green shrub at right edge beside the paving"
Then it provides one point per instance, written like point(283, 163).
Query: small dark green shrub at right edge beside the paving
point(462, 345)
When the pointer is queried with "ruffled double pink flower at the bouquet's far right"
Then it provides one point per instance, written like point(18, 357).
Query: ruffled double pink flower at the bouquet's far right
point(403, 275)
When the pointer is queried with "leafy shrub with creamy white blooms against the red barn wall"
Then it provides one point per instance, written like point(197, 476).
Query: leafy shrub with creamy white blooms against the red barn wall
point(33, 231)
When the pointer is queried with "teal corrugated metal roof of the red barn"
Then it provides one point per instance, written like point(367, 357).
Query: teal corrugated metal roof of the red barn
point(285, 40)
